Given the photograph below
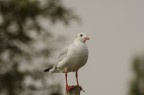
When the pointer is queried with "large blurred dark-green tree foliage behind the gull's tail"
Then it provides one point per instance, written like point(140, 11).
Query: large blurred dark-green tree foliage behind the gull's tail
point(26, 46)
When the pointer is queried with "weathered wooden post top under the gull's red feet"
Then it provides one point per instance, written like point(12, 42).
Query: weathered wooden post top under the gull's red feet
point(75, 91)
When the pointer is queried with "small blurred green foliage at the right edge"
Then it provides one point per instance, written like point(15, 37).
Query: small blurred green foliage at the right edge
point(137, 85)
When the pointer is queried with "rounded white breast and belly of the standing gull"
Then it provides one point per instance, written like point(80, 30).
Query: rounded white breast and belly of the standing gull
point(78, 55)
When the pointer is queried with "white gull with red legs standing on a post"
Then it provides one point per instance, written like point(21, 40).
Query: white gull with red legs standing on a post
point(72, 58)
